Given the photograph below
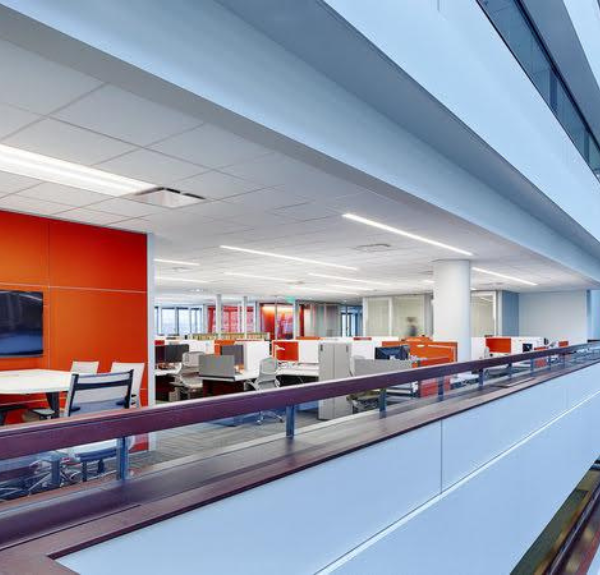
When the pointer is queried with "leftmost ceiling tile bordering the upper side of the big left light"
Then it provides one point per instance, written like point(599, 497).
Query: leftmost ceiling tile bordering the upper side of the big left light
point(59, 140)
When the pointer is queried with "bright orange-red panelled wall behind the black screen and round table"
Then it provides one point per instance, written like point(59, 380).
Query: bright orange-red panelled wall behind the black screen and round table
point(94, 283)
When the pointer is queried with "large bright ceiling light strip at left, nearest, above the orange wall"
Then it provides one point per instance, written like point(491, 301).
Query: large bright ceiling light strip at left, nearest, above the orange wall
point(45, 168)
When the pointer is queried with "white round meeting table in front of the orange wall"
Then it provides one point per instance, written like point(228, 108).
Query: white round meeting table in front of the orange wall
point(32, 381)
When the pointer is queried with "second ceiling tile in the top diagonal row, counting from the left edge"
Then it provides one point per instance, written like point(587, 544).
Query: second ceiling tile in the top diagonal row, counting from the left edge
point(124, 115)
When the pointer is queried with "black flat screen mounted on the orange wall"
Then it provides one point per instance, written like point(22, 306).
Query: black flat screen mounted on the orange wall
point(21, 323)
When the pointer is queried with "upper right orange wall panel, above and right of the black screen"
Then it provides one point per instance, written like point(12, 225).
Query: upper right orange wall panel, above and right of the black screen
point(100, 258)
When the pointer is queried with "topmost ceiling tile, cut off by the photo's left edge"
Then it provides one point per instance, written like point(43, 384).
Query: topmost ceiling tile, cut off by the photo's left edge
point(37, 84)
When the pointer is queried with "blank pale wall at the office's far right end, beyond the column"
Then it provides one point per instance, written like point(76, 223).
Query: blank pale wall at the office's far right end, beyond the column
point(555, 315)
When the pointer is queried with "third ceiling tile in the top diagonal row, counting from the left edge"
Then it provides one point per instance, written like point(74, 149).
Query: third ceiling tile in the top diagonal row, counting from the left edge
point(210, 146)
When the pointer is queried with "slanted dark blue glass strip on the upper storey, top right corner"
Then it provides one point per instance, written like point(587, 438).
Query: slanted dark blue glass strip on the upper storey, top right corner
point(516, 29)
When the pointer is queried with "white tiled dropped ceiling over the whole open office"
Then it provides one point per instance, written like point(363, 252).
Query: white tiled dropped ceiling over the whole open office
point(257, 196)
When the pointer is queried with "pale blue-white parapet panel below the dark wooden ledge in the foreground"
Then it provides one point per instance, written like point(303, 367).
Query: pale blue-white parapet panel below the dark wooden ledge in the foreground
point(458, 497)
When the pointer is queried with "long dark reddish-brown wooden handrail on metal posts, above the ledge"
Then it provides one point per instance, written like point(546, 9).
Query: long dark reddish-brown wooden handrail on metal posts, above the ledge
point(33, 438)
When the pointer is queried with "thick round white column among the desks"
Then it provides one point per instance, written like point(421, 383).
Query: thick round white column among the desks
point(452, 304)
